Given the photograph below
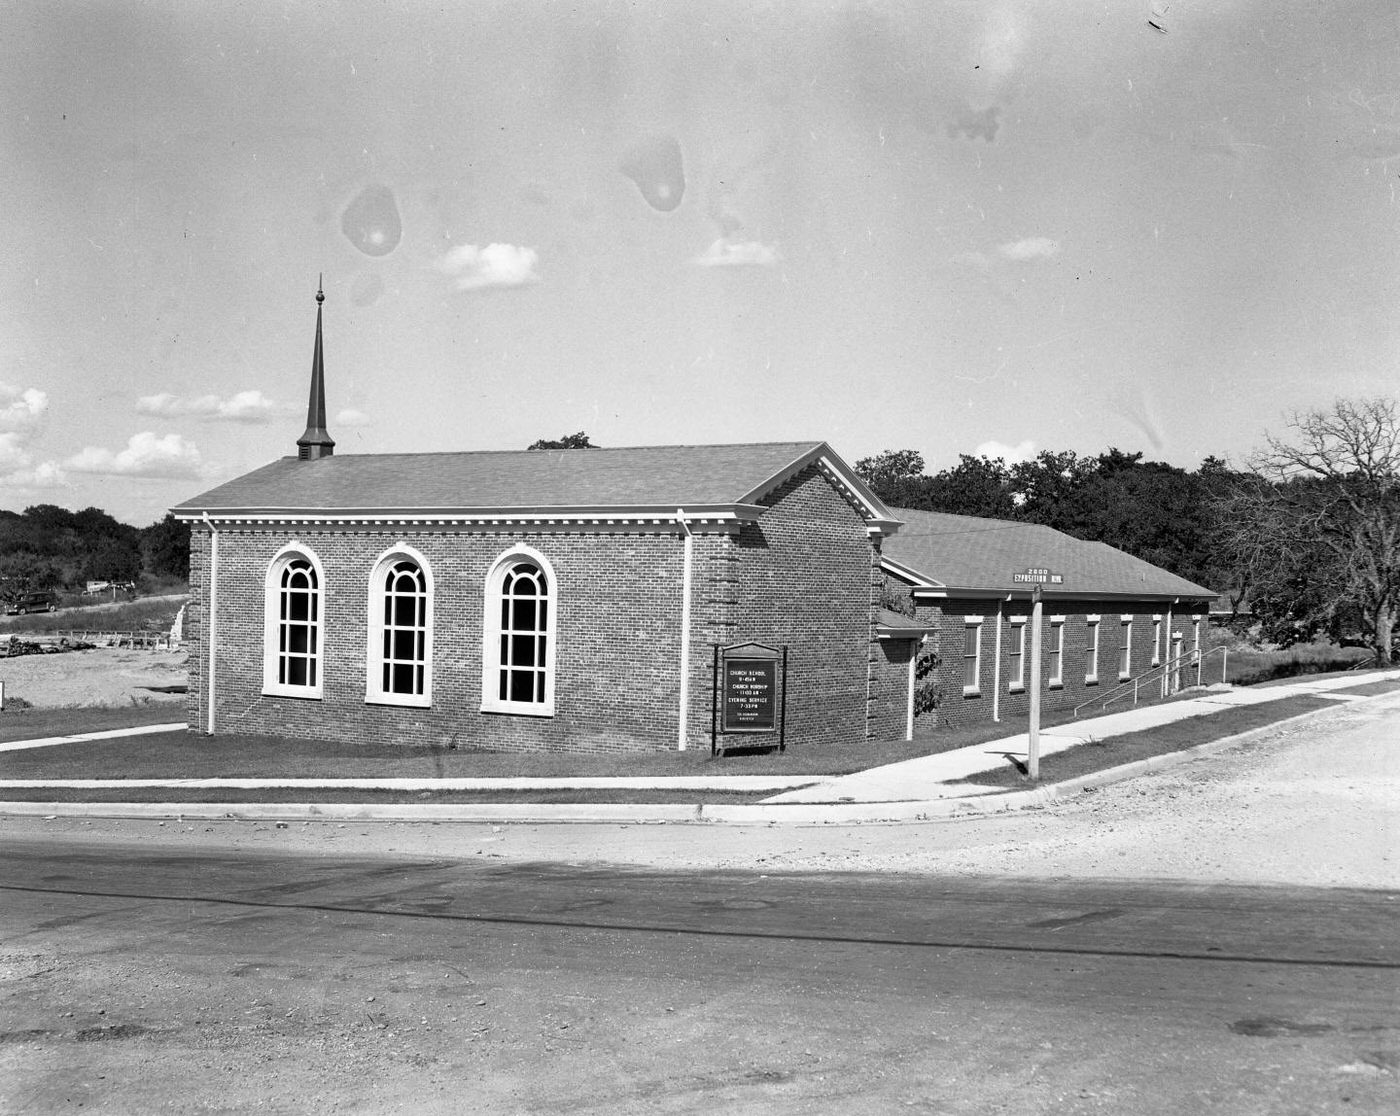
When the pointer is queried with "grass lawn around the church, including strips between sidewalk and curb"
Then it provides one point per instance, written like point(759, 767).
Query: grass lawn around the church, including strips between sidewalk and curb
point(183, 755)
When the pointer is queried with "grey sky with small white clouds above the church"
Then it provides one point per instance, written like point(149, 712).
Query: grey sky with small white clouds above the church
point(953, 228)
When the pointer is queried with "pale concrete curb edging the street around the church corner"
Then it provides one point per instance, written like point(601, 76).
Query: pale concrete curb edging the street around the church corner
point(797, 814)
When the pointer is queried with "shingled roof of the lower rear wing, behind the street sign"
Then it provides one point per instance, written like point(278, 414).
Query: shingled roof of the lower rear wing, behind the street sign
point(964, 555)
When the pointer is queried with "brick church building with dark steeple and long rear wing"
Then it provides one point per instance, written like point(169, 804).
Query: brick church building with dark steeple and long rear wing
point(573, 600)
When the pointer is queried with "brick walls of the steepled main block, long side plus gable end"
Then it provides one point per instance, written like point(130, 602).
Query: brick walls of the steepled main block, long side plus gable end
point(801, 576)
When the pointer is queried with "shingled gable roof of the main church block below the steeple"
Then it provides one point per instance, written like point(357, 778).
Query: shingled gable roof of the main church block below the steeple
point(640, 481)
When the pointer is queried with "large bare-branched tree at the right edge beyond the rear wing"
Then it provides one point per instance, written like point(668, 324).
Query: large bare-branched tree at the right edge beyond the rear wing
point(1317, 527)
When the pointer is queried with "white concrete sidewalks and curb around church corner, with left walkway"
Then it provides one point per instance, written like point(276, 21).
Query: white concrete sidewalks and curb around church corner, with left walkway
point(916, 789)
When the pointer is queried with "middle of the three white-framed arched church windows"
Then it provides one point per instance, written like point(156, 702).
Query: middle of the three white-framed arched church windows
point(400, 649)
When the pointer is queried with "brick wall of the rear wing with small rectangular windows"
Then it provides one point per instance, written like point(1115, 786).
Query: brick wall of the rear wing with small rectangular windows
point(953, 617)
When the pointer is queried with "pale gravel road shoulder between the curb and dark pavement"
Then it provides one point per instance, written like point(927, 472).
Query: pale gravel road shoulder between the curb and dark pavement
point(1312, 803)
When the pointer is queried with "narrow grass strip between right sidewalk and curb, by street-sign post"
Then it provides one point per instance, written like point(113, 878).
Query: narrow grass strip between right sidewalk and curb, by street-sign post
point(1130, 748)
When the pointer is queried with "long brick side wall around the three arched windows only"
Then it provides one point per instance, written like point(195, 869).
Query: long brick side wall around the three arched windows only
point(618, 603)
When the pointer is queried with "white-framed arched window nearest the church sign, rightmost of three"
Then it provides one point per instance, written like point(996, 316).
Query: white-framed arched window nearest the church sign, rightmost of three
point(519, 635)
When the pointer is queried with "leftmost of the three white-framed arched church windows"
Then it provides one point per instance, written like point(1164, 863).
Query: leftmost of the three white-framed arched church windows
point(295, 599)
